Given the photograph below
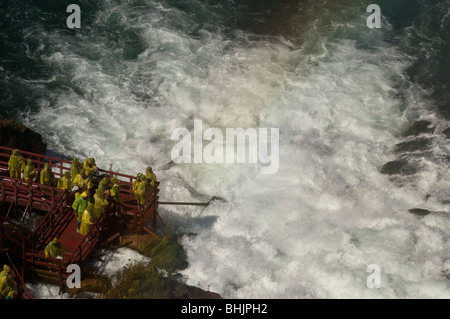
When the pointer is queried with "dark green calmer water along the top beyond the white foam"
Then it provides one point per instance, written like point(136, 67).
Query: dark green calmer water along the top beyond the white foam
point(419, 28)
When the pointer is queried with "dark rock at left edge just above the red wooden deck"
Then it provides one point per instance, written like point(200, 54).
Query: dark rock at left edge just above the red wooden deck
point(18, 136)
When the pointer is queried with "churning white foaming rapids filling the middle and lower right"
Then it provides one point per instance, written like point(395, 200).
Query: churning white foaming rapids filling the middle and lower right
point(311, 229)
